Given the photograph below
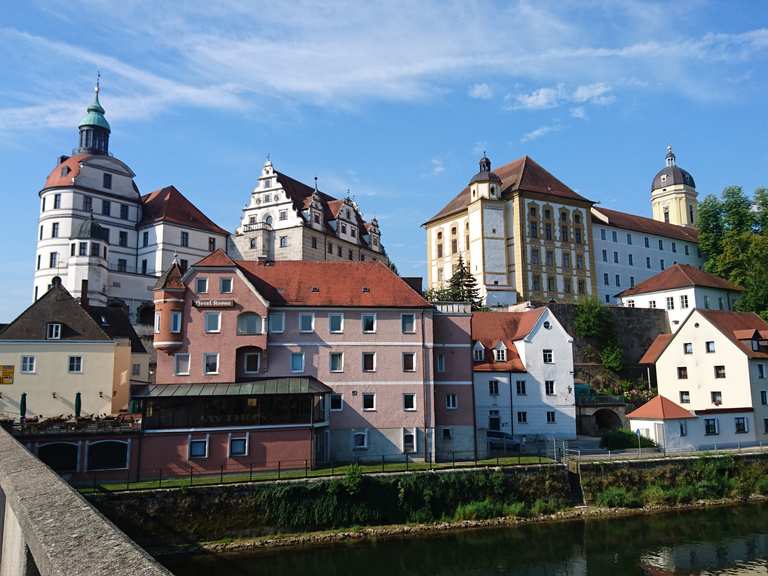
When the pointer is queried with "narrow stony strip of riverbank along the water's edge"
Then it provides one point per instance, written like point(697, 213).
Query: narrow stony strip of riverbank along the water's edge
point(369, 533)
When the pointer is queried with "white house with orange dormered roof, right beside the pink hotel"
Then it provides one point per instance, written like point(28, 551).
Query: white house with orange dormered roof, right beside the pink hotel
point(522, 376)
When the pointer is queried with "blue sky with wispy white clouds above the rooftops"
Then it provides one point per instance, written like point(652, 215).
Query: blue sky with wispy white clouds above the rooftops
point(395, 101)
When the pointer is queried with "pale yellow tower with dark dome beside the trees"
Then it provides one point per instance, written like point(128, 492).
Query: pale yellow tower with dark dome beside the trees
point(673, 194)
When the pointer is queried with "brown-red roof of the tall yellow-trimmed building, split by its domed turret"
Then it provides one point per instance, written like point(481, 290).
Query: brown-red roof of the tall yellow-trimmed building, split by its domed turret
point(523, 174)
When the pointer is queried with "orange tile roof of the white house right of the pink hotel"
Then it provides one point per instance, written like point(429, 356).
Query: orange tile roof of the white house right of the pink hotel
point(489, 328)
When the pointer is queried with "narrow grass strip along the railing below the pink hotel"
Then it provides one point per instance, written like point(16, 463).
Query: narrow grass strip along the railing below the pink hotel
point(320, 472)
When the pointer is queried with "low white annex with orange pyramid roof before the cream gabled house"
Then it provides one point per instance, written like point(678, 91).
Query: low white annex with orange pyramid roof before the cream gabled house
point(674, 428)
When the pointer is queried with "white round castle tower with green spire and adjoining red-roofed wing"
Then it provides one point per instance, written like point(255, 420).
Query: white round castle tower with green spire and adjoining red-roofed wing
point(95, 225)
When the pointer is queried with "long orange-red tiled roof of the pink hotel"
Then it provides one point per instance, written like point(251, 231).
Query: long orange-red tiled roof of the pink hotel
point(323, 283)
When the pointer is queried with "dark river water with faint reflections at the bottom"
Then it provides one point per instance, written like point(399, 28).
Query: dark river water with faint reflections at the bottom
point(717, 541)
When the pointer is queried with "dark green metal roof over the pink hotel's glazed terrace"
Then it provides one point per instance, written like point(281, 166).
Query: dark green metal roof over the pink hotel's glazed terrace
point(267, 386)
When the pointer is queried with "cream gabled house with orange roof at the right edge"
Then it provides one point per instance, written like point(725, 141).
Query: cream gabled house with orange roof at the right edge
point(716, 366)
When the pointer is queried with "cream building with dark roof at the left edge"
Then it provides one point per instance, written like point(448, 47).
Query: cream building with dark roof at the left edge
point(58, 353)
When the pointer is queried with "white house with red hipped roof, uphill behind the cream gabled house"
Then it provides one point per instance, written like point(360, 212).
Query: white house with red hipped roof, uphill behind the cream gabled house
point(679, 290)
